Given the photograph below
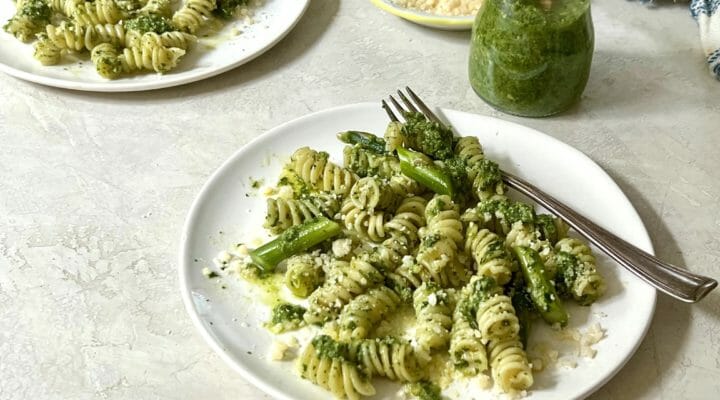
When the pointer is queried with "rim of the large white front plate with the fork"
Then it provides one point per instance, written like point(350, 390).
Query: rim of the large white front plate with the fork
point(251, 376)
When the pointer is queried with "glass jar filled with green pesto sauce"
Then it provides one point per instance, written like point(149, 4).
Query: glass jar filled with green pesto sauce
point(531, 57)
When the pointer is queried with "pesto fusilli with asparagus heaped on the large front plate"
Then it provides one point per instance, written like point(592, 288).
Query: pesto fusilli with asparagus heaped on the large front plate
point(416, 282)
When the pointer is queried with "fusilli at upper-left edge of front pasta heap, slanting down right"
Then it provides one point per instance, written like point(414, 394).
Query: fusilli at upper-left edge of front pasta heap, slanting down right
point(316, 170)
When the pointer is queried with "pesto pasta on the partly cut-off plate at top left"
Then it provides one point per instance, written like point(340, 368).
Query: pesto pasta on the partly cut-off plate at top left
point(145, 35)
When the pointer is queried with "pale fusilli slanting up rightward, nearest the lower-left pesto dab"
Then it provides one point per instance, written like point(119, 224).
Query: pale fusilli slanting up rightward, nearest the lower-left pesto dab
point(345, 283)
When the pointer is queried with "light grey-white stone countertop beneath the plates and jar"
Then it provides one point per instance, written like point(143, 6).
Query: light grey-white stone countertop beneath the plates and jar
point(94, 189)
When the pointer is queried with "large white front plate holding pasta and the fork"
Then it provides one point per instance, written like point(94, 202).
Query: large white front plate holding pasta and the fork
point(228, 209)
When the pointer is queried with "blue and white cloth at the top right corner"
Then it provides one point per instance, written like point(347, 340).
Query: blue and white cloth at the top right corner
point(707, 16)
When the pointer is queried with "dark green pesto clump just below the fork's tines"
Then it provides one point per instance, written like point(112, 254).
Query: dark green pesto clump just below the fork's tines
point(431, 138)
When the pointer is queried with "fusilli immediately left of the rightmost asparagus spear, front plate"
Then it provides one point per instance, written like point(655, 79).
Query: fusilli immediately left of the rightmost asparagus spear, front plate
point(489, 253)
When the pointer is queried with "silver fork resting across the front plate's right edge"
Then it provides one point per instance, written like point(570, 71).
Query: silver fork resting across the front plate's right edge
point(676, 282)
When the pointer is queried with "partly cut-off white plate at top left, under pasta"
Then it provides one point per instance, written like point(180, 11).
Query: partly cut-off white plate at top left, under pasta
point(211, 56)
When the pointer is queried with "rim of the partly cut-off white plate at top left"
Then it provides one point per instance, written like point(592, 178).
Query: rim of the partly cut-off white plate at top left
point(127, 87)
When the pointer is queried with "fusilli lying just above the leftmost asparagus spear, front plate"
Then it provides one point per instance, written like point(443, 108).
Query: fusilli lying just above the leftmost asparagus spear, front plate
point(283, 213)
